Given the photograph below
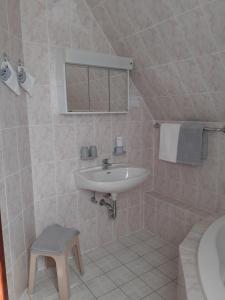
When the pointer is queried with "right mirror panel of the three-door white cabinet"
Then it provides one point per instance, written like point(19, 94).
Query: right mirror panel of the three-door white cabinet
point(118, 90)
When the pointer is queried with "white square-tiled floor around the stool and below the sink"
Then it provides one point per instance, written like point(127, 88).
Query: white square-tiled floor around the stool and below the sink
point(141, 266)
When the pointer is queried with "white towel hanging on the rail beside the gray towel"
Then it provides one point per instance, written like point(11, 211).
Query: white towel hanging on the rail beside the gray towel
point(169, 134)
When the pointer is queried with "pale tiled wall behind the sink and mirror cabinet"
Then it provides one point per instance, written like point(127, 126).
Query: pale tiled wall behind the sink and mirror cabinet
point(55, 139)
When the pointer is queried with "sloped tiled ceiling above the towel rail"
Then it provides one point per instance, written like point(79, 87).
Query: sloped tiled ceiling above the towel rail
point(179, 51)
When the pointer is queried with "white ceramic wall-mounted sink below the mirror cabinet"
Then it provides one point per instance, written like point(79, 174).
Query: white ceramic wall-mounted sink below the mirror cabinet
point(118, 178)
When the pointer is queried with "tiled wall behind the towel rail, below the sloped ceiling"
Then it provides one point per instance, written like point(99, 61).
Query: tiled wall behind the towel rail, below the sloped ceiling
point(201, 187)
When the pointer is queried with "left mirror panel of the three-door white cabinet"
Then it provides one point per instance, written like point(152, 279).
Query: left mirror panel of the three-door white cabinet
point(77, 88)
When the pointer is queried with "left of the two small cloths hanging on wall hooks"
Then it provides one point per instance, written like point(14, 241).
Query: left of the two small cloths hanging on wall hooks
point(8, 76)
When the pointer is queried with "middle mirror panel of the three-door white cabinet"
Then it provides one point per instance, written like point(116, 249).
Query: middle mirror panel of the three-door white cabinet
point(99, 89)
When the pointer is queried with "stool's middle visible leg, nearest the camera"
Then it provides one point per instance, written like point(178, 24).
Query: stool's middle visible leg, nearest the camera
point(63, 276)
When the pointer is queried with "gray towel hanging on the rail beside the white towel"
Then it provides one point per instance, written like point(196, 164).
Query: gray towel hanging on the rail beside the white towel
point(192, 146)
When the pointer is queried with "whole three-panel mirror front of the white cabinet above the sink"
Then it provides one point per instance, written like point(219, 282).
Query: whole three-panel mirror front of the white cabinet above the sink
point(96, 89)
